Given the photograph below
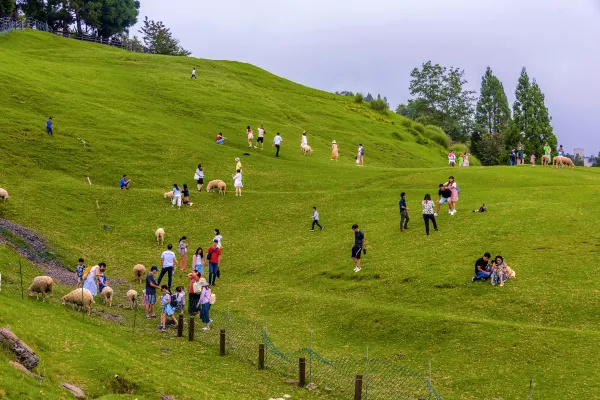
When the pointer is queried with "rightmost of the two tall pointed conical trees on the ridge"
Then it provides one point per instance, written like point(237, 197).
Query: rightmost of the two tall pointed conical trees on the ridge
point(531, 116)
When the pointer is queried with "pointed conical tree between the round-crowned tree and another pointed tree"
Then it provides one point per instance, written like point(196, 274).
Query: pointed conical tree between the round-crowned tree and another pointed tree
point(492, 113)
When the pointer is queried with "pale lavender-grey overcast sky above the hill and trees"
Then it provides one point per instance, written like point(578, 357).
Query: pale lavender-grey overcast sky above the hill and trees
point(373, 46)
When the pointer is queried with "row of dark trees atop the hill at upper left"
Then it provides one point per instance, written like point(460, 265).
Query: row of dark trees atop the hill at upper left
point(102, 18)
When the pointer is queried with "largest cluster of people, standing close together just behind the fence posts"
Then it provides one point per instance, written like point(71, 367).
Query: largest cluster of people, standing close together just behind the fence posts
point(200, 296)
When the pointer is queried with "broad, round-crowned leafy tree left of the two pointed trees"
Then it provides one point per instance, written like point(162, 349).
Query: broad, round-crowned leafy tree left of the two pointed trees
point(447, 103)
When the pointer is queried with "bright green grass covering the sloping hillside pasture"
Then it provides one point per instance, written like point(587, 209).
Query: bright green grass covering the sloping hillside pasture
point(141, 115)
